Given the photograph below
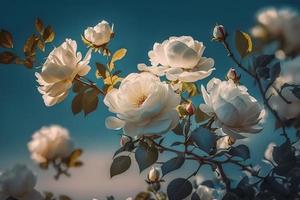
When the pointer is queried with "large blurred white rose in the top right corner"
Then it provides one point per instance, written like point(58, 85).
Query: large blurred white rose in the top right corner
point(282, 25)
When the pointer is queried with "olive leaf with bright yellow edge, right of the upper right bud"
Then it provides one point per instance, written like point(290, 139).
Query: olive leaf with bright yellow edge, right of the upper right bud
point(243, 43)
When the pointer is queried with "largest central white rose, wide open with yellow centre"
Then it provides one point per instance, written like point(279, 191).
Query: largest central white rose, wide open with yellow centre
point(143, 104)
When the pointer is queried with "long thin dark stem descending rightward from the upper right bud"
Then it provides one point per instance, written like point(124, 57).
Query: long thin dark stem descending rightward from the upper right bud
point(260, 87)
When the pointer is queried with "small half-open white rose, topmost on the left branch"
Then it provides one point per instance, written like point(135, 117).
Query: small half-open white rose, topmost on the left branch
point(100, 34)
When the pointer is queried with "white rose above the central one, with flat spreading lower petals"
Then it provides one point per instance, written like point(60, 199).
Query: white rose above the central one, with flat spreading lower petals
point(179, 58)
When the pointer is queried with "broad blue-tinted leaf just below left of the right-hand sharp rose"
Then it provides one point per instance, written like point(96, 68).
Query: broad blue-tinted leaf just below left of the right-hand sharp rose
point(204, 139)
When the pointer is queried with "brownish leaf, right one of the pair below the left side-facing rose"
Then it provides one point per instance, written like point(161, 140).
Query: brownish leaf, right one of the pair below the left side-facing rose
point(90, 101)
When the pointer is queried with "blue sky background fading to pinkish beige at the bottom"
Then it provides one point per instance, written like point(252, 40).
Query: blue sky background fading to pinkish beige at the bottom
point(138, 24)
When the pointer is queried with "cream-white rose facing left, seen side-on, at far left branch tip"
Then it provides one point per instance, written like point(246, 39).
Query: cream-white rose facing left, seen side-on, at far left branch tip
point(59, 70)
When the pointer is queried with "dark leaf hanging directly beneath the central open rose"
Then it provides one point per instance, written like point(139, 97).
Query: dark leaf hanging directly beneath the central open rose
point(145, 156)
